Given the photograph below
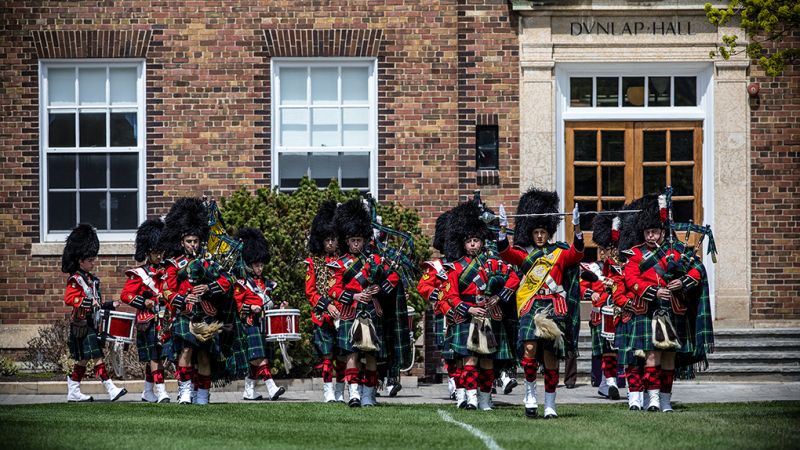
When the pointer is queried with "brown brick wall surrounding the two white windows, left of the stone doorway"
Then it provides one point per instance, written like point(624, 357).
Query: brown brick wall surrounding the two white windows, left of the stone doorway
point(442, 66)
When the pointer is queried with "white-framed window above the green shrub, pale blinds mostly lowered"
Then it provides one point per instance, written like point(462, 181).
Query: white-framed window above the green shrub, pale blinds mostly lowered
point(324, 122)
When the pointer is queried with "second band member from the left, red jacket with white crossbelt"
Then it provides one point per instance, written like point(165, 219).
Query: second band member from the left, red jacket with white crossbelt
point(142, 291)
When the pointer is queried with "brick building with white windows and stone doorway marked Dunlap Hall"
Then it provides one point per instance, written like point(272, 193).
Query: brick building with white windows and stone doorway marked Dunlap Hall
point(111, 110)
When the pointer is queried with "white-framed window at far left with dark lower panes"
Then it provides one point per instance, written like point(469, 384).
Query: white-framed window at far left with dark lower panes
point(92, 116)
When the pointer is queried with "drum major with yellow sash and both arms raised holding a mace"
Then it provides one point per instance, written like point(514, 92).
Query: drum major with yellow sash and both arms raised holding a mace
point(547, 302)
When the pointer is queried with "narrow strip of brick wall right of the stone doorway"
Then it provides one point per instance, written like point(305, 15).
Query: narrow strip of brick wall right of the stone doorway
point(775, 193)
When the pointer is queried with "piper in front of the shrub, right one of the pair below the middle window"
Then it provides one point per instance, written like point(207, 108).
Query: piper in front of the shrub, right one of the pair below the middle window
point(359, 277)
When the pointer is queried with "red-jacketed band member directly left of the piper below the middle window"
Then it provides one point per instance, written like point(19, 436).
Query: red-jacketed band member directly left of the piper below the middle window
point(323, 249)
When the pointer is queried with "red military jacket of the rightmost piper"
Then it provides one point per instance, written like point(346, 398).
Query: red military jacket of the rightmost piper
point(645, 271)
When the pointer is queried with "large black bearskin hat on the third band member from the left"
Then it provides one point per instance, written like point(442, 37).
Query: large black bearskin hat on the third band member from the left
point(187, 216)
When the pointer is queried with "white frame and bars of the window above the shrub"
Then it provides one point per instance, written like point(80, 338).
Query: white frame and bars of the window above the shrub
point(323, 62)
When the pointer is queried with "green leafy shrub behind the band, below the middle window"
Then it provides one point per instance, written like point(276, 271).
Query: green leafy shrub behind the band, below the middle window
point(285, 220)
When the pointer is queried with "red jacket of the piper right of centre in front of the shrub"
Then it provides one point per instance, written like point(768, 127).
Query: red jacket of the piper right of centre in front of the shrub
point(348, 281)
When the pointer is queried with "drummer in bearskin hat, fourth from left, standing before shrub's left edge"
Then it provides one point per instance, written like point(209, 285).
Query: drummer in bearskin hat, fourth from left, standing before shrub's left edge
point(252, 298)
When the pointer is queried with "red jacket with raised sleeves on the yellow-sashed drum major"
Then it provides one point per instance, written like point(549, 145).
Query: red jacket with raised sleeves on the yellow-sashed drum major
point(526, 260)
